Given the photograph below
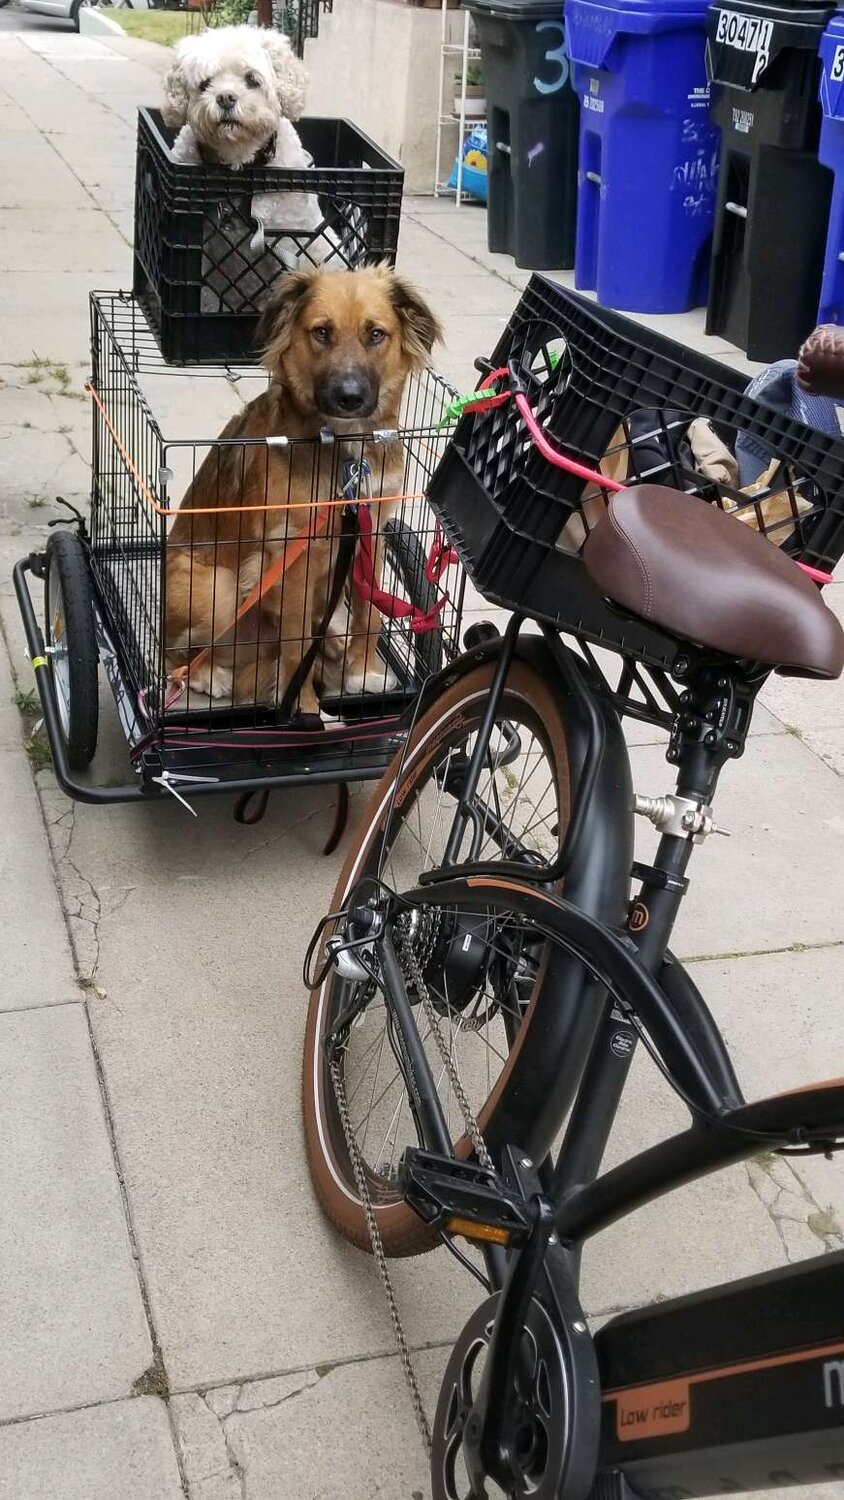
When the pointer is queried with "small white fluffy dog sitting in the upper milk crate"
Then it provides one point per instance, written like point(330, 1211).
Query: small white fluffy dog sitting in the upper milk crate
point(235, 94)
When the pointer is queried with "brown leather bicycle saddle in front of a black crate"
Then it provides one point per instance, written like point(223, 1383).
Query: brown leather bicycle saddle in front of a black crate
point(698, 574)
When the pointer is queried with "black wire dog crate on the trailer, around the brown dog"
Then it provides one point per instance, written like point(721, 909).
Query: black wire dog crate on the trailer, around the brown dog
point(211, 725)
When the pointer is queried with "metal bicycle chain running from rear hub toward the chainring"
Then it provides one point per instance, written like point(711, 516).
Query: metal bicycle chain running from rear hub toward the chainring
point(380, 1256)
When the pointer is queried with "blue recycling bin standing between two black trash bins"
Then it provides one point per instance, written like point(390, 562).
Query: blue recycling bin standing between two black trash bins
point(648, 160)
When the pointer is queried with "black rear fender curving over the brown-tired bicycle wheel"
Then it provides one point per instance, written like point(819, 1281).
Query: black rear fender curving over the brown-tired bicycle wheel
point(569, 1004)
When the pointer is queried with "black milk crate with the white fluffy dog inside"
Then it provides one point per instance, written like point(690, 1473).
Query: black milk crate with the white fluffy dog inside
point(200, 272)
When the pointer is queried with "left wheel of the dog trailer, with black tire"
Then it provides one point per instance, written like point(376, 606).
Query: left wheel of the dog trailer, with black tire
point(71, 646)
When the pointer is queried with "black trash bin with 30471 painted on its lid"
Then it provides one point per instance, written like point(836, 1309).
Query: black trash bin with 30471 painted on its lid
point(773, 193)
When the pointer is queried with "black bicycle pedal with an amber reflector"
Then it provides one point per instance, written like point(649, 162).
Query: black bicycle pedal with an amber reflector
point(462, 1198)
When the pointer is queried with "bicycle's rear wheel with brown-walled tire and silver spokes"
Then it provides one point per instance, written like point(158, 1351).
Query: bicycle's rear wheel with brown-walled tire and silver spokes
point(483, 992)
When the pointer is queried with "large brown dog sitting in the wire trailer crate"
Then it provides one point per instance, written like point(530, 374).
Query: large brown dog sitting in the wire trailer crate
point(340, 347)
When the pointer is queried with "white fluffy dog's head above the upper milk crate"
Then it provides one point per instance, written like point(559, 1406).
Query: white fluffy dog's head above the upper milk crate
point(233, 86)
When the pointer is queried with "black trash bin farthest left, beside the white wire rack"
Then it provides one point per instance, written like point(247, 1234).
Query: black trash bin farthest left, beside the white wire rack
point(533, 119)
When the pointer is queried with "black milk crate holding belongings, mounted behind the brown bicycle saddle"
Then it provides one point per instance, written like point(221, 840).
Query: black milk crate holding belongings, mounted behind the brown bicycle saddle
point(617, 398)
